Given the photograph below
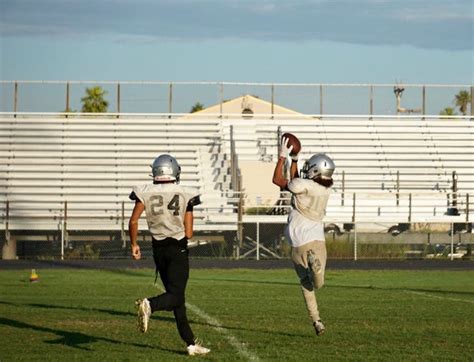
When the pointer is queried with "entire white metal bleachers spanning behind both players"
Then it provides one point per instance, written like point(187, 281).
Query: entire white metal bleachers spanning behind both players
point(58, 172)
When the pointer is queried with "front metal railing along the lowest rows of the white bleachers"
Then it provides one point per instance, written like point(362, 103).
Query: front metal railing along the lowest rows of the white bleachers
point(359, 206)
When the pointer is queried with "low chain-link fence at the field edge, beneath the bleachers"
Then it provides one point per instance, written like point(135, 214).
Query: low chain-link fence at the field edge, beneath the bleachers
point(267, 241)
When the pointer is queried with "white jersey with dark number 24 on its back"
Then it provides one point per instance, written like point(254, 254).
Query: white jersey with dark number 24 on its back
point(165, 206)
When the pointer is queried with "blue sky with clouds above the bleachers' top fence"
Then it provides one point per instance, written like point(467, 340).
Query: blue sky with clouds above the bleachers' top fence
point(305, 41)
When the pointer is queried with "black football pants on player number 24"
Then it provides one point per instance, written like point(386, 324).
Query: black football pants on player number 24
point(172, 263)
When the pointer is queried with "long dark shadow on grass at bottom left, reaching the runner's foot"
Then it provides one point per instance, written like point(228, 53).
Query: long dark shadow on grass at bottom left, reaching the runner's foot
point(76, 340)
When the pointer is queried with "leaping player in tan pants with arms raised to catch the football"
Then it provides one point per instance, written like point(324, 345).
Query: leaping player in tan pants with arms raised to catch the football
point(305, 228)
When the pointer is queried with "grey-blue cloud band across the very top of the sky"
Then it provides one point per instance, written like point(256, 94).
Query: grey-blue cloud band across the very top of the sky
point(419, 23)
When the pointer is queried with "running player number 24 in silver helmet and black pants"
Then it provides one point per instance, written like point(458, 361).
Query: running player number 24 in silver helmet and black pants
point(169, 213)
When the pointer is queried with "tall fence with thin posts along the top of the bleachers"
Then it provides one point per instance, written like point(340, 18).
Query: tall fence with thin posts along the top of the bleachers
point(179, 97)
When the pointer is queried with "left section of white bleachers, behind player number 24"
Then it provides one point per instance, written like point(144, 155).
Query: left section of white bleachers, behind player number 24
point(85, 167)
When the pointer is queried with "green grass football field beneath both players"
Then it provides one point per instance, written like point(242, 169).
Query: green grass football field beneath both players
point(241, 315)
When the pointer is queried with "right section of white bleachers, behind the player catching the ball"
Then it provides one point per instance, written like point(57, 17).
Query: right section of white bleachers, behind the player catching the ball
point(381, 156)
